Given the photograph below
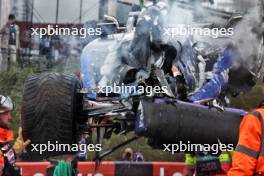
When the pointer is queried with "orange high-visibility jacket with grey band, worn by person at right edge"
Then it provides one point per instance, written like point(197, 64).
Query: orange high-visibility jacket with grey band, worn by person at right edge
point(248, 159)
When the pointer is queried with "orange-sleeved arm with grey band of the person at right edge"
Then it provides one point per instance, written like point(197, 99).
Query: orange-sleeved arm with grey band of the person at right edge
point(245, 157)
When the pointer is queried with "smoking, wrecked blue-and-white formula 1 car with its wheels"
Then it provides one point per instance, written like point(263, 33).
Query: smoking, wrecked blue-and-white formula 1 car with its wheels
point(192, 93)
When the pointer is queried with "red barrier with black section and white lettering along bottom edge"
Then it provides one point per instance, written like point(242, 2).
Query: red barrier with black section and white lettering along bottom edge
point(111, 168)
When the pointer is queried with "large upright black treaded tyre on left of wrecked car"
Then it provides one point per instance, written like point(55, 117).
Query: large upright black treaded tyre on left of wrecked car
point(49, 111)
